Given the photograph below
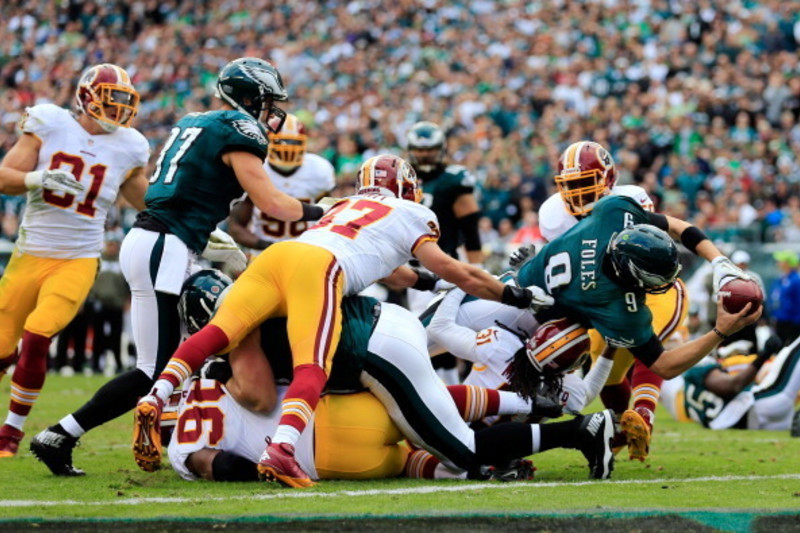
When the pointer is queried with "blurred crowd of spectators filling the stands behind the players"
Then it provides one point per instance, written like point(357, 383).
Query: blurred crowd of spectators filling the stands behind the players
point(698, 101)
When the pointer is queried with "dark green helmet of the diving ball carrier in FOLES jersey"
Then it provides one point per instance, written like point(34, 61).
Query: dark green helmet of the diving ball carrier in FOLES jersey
point(645, 257)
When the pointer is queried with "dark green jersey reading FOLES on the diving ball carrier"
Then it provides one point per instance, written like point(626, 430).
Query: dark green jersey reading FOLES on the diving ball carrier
point(570, 268)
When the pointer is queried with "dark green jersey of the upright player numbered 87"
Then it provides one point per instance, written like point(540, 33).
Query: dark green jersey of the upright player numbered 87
point(191, 189)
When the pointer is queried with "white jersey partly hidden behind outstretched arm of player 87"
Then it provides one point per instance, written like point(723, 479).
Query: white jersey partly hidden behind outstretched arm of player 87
point(313, 179)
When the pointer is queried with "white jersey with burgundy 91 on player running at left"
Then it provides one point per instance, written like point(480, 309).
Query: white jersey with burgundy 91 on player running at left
point(67, 226)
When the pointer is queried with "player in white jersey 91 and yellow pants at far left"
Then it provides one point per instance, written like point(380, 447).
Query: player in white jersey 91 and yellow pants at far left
point(72, 165)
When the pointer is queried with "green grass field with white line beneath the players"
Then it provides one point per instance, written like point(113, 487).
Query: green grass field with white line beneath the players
point(694, 480)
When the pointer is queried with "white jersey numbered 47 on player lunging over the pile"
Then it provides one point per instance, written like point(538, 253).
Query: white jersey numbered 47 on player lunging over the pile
point(371, 235)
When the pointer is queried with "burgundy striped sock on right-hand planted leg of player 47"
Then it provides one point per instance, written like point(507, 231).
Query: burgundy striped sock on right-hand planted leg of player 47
point(299, 403)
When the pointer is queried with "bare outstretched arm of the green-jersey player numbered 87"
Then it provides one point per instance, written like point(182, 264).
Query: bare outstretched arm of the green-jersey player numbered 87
point(254, 180)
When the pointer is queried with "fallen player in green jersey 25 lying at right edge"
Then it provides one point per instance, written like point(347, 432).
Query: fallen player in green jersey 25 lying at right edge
point(708, 394)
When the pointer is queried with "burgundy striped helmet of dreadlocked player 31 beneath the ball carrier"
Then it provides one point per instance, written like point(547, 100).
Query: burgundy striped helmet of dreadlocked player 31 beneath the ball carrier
point(558, 346)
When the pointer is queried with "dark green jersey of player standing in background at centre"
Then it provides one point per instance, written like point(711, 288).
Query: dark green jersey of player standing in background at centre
point(439, 194)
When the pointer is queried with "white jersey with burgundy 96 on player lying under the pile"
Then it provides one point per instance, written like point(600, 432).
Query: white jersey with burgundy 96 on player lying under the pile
point(209, 417)
